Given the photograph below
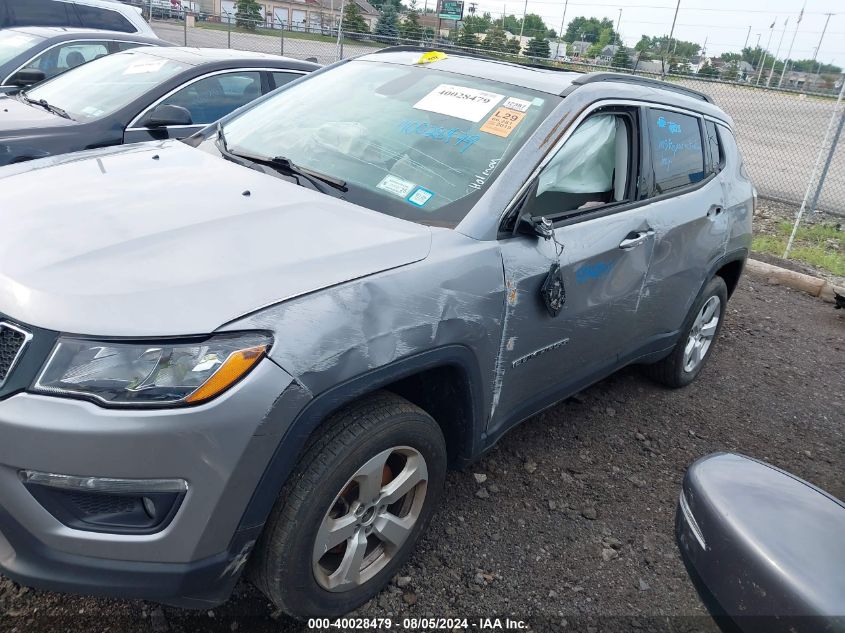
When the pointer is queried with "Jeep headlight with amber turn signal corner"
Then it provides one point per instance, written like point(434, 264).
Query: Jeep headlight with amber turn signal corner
point(150, 374)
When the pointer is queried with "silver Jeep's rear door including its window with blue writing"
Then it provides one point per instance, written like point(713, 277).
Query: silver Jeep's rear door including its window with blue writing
point(687, 214)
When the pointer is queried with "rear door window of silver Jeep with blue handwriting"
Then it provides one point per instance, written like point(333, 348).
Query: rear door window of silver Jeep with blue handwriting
point(677, 153)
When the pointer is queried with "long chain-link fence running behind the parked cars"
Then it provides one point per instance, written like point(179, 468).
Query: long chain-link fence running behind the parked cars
point(780, 131)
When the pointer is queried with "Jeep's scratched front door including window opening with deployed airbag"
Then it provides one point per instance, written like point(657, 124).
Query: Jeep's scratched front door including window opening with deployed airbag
point(590, 189)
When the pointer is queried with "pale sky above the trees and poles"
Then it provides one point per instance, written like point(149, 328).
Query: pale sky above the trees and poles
point(721, 22)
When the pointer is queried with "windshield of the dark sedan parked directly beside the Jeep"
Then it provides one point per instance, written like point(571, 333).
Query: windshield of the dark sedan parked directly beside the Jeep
point(105, 85)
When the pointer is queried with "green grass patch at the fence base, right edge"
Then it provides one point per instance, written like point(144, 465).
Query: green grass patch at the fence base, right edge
point(821, 246)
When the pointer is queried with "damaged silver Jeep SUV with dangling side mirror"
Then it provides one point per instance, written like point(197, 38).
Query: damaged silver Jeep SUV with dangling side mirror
point(261, 349)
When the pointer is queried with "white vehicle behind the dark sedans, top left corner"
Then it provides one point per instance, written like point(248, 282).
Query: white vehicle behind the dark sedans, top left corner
point(91, 14)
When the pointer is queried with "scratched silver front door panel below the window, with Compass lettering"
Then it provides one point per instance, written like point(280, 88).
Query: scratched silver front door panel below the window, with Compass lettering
point(543, 354)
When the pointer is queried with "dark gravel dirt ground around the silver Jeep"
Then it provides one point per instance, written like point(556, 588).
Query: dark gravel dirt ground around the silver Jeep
point(571, 527)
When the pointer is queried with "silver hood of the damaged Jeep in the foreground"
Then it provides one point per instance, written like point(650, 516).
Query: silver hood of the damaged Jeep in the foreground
point(162, 239)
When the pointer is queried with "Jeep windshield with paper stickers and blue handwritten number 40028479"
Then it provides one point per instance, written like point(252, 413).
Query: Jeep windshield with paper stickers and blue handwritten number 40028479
point(410, 141)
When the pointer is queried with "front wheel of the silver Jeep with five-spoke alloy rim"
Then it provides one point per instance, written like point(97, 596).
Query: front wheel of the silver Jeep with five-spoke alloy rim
point(393, 441)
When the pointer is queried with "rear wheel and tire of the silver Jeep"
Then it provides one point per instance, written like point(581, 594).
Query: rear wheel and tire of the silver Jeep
point(676, 369)
